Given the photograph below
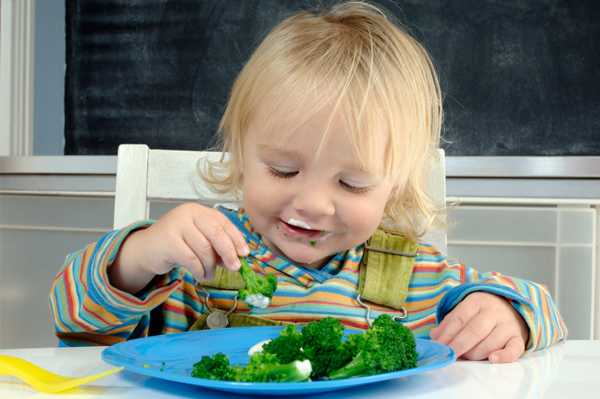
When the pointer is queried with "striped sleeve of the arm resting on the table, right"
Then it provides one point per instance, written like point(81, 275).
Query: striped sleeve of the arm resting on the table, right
point(531, 300)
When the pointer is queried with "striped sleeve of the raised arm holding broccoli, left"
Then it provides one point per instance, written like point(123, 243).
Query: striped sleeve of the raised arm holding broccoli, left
point(87, 310)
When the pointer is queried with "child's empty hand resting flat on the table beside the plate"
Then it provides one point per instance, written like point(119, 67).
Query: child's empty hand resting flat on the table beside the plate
point(483, 326)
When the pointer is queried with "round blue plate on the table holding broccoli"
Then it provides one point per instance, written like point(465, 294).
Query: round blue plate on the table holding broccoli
point(172, 357)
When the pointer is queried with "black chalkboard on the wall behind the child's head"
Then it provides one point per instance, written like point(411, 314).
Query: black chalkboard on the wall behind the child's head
point(521, 77)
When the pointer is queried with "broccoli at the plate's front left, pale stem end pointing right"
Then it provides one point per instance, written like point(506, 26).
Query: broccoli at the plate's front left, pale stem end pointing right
point(260, 368)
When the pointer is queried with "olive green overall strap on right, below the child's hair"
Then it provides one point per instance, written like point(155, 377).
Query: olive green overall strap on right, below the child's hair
point(386, 268)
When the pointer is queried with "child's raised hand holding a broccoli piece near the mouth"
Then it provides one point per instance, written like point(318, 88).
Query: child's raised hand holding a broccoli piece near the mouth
point(192, 236)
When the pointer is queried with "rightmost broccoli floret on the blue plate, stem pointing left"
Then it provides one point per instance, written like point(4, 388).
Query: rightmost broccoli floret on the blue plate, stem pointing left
point(386, 346)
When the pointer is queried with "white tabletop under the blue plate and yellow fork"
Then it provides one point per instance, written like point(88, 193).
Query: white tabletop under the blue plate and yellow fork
point(569, 369)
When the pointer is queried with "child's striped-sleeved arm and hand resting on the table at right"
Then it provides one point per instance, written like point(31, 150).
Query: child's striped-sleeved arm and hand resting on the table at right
point(483, 314)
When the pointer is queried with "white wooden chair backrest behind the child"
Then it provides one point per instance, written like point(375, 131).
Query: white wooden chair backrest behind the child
point(145, 175)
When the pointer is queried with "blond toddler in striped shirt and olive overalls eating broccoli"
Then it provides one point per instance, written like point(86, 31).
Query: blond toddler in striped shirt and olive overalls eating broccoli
point(329, 127)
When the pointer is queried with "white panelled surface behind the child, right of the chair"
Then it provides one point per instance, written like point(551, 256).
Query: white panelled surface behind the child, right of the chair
point(548, 244)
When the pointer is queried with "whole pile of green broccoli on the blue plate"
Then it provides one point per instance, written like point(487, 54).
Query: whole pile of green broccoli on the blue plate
point(318, 351)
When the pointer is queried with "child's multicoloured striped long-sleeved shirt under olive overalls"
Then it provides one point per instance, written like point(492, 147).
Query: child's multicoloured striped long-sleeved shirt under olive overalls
point(89, 311)
